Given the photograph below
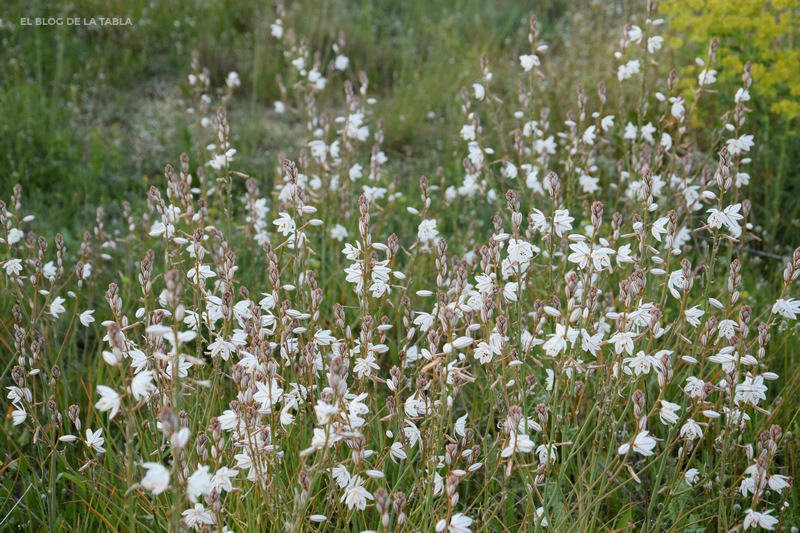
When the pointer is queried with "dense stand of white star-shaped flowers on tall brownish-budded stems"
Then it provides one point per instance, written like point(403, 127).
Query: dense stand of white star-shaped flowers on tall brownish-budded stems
point(564, 322)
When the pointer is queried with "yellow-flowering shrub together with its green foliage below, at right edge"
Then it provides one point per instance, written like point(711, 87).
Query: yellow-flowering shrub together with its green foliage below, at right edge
point(765, 33)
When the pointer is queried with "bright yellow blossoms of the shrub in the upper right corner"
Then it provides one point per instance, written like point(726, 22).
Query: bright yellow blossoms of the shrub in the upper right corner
point(763, 32)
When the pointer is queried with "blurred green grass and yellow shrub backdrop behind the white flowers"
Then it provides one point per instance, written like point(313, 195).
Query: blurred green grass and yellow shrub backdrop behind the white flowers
point(91, 114)
